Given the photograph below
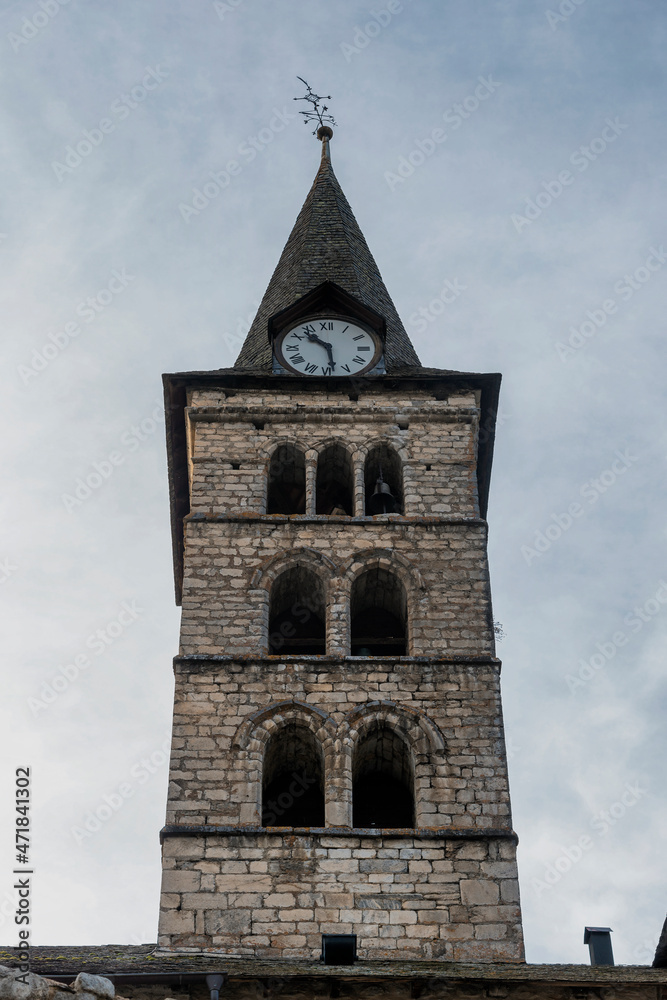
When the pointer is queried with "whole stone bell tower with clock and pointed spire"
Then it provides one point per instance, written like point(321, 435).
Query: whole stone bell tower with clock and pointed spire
point(338, 761)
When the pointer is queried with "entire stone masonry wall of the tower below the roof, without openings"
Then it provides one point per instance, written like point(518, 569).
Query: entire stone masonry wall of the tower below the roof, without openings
point(446, 889)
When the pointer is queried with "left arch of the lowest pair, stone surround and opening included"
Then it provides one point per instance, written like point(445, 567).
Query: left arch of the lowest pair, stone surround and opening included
point(306, 738)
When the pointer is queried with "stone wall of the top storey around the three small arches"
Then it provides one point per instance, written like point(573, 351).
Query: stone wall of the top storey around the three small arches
point(231, 441)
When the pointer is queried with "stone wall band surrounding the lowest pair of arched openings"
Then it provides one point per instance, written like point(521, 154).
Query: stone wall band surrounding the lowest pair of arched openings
point(449, 715)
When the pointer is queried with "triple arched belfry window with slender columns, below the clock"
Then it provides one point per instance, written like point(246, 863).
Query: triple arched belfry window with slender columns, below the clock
point(334, 481)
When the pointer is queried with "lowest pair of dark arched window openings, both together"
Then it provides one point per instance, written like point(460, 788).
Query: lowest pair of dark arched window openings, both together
point(294, 777)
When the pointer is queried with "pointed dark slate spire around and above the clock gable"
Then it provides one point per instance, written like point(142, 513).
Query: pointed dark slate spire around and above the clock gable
point(326, 244)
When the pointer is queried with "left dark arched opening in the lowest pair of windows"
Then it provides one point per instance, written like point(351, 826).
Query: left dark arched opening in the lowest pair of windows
point(292, 782)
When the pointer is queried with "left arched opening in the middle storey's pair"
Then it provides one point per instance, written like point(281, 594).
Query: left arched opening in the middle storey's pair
point(297, 614)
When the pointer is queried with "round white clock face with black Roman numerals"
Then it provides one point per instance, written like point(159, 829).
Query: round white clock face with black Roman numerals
point(328, 346)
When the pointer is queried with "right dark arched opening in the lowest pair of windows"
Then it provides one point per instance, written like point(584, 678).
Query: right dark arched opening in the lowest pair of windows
point(382, 781)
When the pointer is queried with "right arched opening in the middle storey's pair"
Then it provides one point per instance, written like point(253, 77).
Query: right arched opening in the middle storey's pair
point(378, 611)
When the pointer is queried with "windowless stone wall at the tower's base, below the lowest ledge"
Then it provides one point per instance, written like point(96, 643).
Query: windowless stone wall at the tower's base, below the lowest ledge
point(405, 897)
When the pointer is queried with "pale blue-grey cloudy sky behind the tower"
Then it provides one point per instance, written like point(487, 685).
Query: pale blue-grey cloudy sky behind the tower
point(509, 150)
